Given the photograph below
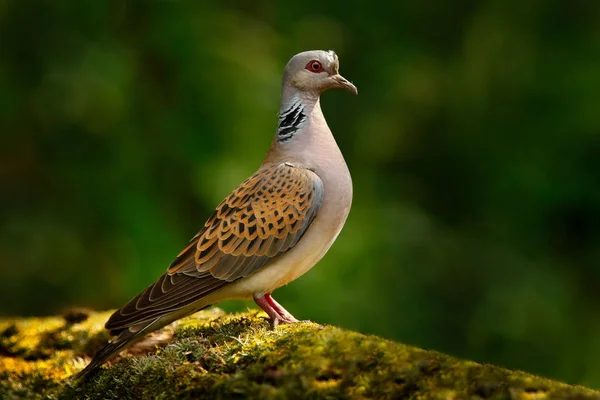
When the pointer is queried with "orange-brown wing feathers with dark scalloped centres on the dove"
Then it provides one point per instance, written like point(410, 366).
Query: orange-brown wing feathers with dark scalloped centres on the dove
point(263, 218)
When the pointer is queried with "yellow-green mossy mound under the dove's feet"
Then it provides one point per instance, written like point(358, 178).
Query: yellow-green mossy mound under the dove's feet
point(240, 356)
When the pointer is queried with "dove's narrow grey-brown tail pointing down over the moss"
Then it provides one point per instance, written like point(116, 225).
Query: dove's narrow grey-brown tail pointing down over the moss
point(125, 339)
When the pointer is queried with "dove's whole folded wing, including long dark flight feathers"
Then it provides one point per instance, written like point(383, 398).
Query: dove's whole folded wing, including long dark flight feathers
point(263, 218)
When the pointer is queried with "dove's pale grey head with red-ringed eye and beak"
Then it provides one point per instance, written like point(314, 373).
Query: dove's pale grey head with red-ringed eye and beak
point(316, 71)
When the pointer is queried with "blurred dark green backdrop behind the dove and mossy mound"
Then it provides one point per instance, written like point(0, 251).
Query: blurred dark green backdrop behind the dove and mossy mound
point(474, 146)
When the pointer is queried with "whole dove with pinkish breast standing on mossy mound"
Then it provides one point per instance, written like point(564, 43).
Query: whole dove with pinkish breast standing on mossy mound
point(274, 227)
